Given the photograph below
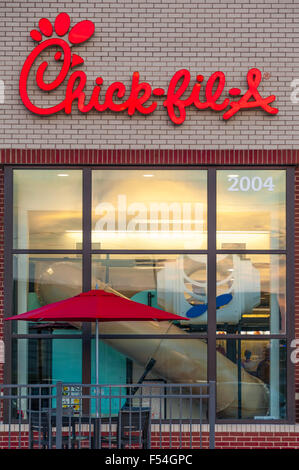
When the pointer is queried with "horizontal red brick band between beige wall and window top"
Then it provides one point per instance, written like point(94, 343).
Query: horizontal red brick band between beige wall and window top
point(149, 157)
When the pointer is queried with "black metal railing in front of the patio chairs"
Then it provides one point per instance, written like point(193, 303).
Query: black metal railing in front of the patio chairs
point(148, 415)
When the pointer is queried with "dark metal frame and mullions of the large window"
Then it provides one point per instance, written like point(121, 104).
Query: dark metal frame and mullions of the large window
point(211, 253)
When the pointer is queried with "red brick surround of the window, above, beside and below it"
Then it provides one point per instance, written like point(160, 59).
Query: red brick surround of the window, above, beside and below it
point(171, 157)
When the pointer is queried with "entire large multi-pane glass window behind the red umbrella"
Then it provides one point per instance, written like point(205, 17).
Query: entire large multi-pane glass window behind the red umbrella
point(208, 244)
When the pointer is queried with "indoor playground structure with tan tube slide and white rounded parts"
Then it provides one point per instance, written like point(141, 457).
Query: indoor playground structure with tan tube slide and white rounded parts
point(182, 360)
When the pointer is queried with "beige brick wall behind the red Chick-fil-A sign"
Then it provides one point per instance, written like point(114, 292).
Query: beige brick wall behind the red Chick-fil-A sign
point(157, 38)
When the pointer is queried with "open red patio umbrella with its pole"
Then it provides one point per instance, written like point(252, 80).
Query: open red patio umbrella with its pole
point(94, 306)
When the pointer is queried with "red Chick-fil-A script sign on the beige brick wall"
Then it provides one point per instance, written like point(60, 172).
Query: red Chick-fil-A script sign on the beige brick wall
point(141, 94)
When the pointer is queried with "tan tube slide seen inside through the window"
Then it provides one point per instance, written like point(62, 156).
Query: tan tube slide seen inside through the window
point(177, 361)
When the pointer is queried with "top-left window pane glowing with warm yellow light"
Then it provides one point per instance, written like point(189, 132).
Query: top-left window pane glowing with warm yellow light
point(47, 209)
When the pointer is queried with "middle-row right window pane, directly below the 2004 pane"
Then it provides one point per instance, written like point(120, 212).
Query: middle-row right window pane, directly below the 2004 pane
point(251, 293)
